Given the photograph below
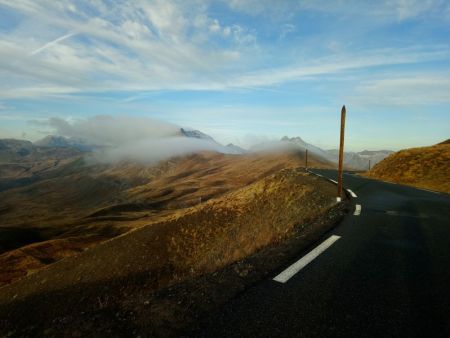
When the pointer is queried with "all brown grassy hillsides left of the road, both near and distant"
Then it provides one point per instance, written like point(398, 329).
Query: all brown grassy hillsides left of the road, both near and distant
point(115, 240)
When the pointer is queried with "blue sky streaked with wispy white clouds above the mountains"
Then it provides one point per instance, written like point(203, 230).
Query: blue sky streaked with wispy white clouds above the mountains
point(242, 71)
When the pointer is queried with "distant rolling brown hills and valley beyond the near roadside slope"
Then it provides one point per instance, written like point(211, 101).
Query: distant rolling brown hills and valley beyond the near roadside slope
point(81, 205)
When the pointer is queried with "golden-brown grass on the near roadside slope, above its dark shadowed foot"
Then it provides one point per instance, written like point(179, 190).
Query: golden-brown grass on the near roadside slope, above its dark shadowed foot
point(201, 239)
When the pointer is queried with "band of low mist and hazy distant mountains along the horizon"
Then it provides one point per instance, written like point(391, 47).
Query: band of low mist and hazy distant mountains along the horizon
point(111, 139)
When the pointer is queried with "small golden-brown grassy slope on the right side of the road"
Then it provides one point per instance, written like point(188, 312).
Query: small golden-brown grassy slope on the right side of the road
point(426, 167)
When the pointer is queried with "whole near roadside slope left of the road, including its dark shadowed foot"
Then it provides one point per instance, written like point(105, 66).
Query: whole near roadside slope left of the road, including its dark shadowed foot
point(155, 280)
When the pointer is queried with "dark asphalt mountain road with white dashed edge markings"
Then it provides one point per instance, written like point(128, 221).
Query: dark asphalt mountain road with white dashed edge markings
point(388, 275)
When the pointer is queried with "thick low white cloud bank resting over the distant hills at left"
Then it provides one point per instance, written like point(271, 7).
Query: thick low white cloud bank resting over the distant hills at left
point(142, 140)
